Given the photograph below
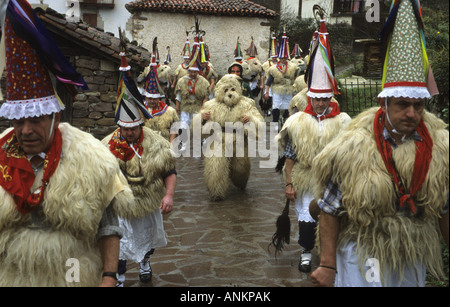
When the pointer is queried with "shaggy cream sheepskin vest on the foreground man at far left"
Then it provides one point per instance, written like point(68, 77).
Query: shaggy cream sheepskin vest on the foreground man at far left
point(35, 247)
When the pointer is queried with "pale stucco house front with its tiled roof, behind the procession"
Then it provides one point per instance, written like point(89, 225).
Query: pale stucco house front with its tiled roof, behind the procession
point(223, 22)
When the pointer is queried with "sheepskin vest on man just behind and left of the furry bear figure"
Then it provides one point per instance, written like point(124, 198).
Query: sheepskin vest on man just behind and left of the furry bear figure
point(192, 103)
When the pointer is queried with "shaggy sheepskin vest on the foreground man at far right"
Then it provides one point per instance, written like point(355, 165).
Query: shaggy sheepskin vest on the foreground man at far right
point(369, 199)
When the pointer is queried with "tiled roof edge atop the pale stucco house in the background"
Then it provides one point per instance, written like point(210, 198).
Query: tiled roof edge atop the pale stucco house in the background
point(210, 7)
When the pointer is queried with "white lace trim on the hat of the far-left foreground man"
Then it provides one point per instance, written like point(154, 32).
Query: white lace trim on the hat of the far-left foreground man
point(17, 109)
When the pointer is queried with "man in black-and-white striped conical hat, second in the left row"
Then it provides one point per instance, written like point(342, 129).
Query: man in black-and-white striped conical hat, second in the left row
point(146, 160)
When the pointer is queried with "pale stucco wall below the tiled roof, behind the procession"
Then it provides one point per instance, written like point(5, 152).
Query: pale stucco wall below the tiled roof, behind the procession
point(221, 35)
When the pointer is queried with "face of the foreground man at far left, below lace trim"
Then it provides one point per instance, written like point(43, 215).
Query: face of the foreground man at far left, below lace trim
point(33, 133)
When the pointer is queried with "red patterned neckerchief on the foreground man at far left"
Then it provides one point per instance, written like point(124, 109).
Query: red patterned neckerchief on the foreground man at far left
point(18, 176)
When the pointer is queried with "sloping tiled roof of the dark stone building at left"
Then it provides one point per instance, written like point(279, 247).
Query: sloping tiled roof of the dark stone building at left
point(93, 38)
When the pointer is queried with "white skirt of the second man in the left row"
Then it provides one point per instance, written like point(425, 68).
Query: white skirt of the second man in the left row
point(141, 235)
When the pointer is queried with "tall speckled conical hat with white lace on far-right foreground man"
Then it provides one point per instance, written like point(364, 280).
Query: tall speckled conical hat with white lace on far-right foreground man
point(406, 71)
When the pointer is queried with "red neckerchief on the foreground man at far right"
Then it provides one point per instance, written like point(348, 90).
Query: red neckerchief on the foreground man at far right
point(421, 162)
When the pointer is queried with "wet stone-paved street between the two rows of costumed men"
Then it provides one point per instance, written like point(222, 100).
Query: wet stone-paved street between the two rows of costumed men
point(225, 243)
